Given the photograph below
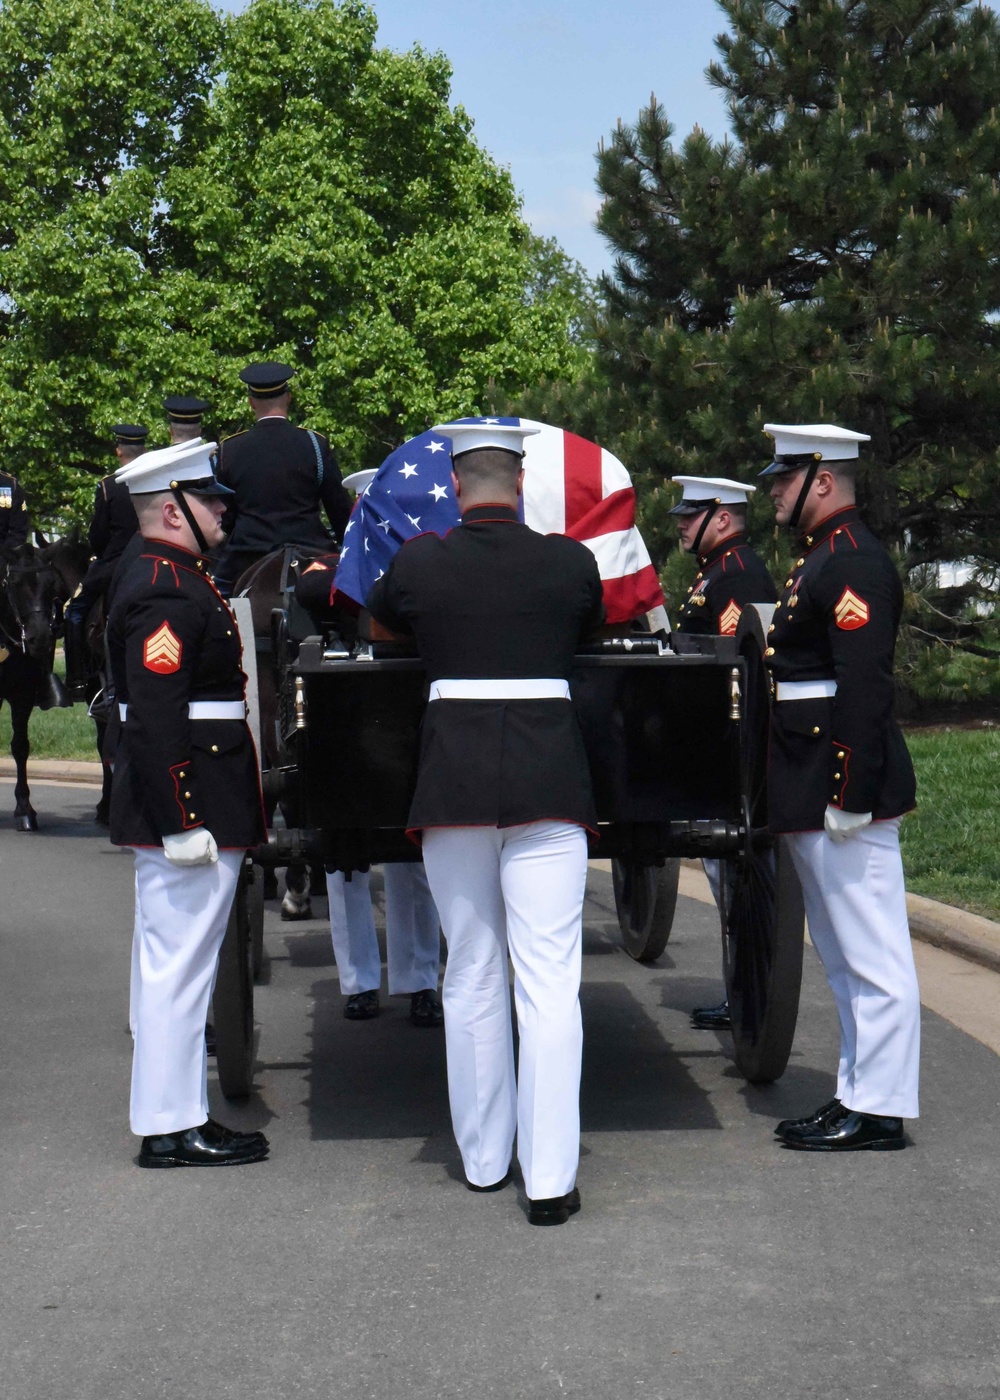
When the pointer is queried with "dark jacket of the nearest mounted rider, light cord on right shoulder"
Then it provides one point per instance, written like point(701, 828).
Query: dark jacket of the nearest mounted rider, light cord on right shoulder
point(275, 474)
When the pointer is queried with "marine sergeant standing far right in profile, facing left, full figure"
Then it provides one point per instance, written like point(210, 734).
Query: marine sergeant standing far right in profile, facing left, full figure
point(840, 780)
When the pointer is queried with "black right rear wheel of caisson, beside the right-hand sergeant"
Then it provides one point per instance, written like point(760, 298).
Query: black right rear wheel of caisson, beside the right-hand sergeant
point(763, 902)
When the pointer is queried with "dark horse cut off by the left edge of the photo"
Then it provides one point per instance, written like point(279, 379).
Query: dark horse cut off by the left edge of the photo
point(33, 594)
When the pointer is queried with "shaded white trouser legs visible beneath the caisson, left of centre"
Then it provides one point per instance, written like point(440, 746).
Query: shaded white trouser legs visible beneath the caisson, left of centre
point(412, 932)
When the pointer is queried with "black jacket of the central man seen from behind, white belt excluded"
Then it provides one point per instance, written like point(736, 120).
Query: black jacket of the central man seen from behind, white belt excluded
point(495, 600)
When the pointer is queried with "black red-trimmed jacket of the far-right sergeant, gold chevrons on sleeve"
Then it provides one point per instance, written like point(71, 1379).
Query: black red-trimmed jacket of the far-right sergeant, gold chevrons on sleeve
point(838, 621)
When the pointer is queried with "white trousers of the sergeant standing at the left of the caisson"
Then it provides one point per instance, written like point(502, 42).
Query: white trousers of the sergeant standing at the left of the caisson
point(181, 916)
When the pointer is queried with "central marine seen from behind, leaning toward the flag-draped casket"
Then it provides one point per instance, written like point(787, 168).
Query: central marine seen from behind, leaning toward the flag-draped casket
point(502, 803)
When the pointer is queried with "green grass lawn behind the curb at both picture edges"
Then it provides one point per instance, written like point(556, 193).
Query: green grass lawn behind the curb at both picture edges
point(952, 843)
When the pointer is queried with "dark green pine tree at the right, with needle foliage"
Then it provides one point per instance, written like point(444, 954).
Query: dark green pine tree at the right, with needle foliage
point(834, 260)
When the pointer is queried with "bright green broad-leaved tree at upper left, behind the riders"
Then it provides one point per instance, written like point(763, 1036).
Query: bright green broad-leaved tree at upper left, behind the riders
point(186, 191)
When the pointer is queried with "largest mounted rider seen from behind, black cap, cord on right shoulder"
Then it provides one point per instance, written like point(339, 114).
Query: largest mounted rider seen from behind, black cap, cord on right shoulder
point(279, 475)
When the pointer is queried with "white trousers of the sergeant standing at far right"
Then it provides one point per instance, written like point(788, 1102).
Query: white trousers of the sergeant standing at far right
point(856, 909)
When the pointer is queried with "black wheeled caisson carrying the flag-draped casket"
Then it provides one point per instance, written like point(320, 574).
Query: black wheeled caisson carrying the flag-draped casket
point(676, 734)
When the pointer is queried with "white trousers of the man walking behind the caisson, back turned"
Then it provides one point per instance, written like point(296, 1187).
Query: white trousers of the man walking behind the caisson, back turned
point(516, 891)
